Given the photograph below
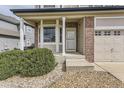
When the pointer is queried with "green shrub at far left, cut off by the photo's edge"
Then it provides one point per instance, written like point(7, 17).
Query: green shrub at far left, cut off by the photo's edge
point(9, 63)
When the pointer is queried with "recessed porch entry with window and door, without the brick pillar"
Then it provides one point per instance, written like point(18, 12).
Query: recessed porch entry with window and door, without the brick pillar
point(61, 35)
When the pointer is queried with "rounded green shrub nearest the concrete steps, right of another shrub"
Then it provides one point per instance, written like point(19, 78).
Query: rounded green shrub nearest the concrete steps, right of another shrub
point(38, 62)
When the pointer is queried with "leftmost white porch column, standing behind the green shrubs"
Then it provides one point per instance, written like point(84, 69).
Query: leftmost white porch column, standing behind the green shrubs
point(21, 34)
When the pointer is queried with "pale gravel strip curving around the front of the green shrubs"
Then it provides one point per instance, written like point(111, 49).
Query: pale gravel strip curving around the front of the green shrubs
point(33, 82)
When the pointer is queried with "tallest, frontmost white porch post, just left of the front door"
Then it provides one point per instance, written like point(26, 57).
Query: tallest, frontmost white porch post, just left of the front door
point(63, 35)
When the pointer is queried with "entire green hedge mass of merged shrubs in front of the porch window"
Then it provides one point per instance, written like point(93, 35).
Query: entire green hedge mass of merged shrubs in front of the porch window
point(34, 62)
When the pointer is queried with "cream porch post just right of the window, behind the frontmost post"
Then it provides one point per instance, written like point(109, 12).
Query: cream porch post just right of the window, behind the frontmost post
point(57, 35)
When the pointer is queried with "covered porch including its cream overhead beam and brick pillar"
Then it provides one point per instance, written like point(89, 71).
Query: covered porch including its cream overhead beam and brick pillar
point(62, 32)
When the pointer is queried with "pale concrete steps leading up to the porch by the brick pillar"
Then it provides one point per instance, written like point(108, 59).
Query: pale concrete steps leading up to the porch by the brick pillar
point(77, 62)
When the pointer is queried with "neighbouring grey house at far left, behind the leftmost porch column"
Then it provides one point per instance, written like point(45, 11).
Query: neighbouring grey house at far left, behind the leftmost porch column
point(9, 32)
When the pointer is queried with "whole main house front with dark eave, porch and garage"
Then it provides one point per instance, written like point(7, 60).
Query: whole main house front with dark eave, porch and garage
point(96, 32)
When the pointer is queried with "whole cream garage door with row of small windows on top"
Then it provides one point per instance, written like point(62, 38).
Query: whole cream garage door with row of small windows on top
point(109, 46)
